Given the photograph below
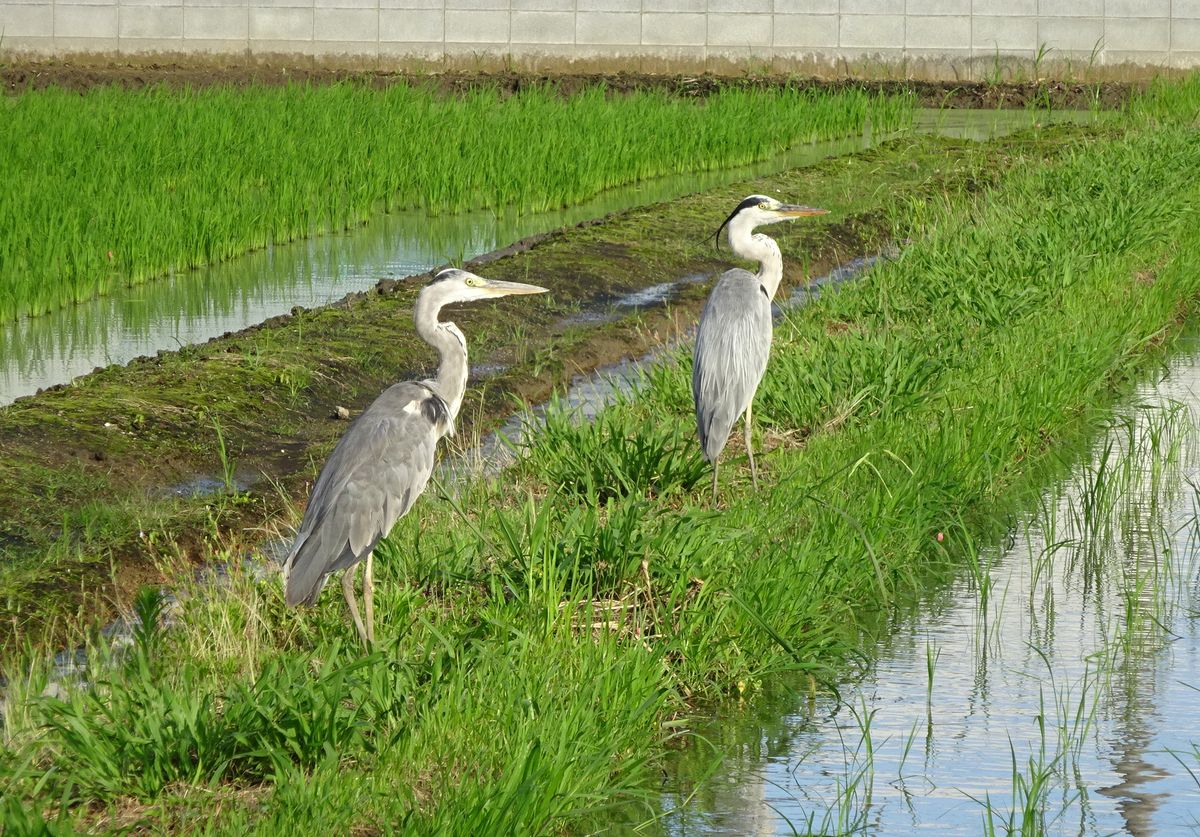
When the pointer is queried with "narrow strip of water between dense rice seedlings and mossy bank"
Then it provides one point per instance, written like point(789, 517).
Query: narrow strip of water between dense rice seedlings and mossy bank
point(196, 306)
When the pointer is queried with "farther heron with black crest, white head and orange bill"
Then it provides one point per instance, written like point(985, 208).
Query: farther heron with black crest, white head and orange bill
point(734, 340)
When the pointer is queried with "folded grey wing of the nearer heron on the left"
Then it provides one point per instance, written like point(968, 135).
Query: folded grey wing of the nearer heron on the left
point(375, 474)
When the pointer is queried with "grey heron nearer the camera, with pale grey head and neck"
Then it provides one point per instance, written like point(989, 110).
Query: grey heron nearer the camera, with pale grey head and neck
point(383, 461)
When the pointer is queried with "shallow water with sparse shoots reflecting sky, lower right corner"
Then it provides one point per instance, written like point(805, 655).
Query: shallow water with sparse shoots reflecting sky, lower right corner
point(1055, 689)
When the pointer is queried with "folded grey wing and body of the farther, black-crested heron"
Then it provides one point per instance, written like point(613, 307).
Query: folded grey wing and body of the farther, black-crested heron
point(733, 347)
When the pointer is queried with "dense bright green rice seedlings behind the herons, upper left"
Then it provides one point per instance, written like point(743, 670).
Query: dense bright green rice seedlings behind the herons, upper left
point(112, 188)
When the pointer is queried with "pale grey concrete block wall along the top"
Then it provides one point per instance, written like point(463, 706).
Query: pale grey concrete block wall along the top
point(957, 39)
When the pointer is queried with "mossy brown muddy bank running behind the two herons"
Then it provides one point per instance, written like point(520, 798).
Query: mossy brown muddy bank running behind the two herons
point(91, 505)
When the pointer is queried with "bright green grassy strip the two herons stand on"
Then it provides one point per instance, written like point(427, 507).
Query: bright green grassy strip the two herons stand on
point(538, 642)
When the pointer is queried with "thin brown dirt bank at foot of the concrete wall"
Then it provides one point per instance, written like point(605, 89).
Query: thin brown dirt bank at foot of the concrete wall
point(1071, 95)
